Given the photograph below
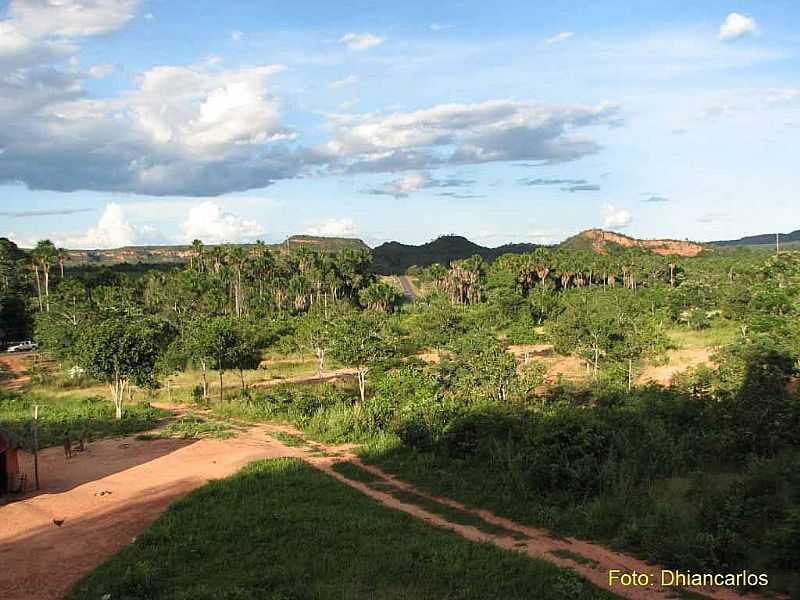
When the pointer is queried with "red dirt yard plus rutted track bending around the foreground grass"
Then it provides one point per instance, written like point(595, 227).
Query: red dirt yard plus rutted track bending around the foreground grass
point(99, 501)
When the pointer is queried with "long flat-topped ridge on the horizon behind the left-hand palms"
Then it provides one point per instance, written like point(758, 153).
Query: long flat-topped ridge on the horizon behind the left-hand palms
point(181, 254)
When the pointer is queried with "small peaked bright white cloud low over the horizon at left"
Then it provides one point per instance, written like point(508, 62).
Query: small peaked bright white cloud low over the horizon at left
point(113, 230)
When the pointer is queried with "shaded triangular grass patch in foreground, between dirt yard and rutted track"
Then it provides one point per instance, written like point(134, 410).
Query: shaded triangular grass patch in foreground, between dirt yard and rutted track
point(281, 530)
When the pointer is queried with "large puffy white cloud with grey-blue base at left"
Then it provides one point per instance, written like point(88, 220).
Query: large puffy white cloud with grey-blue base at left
point(186, 130)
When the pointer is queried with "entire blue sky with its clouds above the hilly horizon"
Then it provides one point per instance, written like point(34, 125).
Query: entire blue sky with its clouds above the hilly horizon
point(133, 122)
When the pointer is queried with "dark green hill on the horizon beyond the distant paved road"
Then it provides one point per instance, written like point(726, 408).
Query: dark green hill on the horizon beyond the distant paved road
point(394, 257)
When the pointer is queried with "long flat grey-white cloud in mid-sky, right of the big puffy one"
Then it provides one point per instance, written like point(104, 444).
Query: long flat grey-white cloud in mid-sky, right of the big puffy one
point(455, 134)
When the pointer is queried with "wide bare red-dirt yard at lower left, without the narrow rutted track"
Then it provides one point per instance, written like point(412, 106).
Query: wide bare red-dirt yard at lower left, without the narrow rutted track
point(41, 561)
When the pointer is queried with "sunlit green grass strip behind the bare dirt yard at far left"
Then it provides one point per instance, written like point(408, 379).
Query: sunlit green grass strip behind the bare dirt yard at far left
point(72, 414)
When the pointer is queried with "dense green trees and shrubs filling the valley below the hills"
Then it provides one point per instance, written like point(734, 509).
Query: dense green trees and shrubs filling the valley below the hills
point(700, 474)
